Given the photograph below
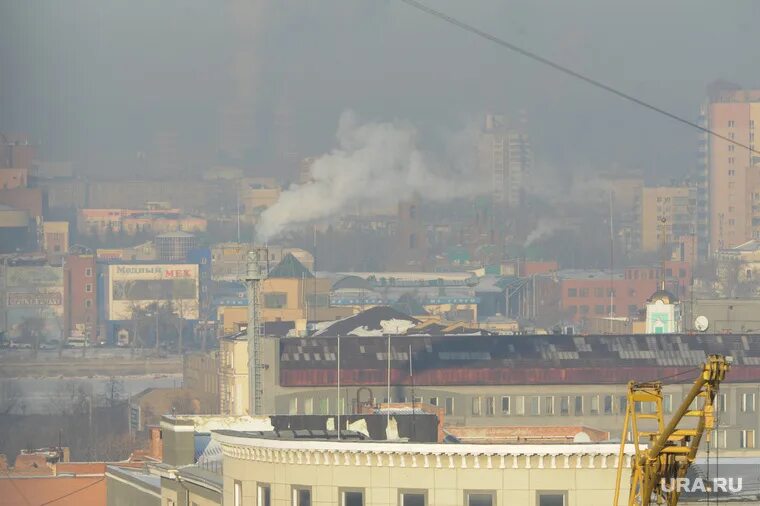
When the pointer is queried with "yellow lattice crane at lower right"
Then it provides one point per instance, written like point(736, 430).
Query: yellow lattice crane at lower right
point(665, 452)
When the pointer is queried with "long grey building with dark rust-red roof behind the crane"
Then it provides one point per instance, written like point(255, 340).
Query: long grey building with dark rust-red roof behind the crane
point(510, 380)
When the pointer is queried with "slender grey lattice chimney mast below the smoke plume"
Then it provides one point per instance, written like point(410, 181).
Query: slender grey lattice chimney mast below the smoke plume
point(254, 276)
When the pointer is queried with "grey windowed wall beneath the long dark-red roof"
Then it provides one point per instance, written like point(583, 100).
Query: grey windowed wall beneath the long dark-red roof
point(732, 421)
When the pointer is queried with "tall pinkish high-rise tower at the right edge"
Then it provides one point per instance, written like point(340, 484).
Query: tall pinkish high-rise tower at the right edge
point(730, 170)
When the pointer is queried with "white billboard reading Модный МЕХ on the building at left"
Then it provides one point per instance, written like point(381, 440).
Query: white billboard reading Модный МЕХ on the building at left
point(137, 286)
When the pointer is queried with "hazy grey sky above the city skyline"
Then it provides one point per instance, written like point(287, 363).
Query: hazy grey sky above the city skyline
point(94, 76)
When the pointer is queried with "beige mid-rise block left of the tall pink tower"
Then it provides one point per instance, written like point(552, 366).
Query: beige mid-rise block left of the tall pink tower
point(666, 213)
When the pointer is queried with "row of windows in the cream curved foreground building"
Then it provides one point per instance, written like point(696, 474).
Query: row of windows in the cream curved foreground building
point(302, 496)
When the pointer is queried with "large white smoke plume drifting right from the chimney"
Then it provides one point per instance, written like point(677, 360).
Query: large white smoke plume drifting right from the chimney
point(376, 165)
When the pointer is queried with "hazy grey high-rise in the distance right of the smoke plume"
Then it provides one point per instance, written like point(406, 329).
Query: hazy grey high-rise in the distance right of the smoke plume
point(505, 155)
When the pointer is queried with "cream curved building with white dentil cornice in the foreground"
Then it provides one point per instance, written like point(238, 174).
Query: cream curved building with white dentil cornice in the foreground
point(266, 469)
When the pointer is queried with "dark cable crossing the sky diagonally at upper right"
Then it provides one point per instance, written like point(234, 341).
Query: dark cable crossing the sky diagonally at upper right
point(568, 71)
